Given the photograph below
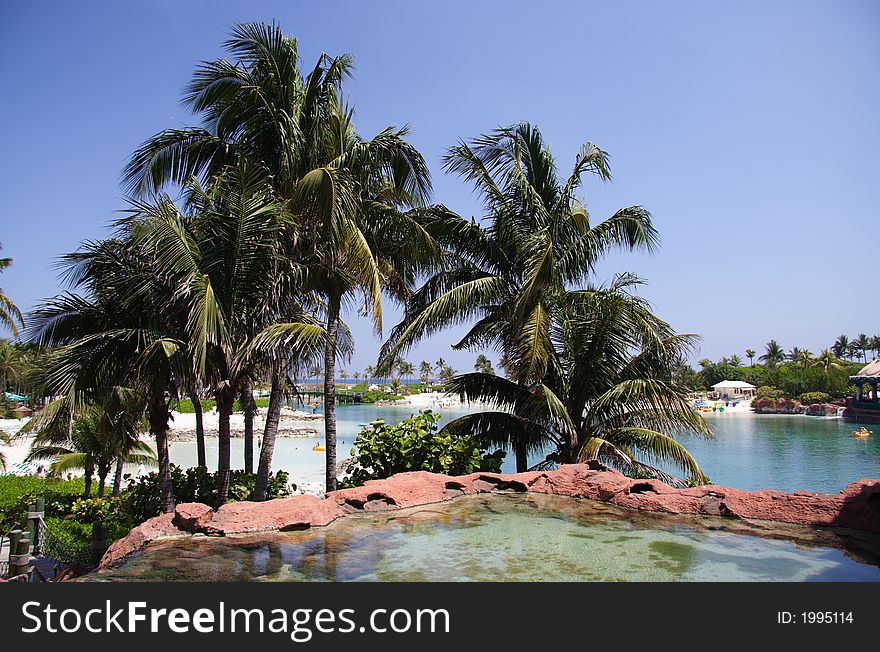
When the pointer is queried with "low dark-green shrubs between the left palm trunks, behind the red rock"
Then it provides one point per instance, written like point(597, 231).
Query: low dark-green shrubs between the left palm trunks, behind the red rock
point(196, 485)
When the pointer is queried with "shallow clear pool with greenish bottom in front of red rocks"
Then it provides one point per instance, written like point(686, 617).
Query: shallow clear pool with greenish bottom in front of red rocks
point(523, 537)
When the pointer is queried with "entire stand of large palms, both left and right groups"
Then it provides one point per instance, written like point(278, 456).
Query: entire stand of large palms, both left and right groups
point(285, 215)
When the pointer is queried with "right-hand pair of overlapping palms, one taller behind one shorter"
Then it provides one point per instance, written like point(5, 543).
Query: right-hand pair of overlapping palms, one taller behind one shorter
point(588, 368)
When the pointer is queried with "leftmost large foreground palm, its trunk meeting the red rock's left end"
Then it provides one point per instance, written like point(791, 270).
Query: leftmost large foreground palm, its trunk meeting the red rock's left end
point(118, 327)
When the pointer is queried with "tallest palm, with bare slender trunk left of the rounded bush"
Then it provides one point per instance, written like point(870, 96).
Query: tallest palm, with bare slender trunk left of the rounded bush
point(344, 192)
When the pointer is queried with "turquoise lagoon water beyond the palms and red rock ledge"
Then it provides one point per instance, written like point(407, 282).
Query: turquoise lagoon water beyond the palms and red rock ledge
point(748, 451)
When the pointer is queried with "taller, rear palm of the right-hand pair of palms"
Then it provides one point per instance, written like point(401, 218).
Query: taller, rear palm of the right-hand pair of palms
point(509, 270)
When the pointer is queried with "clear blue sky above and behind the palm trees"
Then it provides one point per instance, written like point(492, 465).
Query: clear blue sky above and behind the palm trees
point(750, 130)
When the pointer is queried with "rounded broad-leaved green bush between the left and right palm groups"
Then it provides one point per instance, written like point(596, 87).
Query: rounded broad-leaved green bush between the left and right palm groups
point(415, 445)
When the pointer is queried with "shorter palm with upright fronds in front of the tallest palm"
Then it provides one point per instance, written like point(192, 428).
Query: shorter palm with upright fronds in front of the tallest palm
point(226, 257)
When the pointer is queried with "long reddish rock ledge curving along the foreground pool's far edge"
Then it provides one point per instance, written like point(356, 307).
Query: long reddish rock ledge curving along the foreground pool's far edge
point(856, 507)
